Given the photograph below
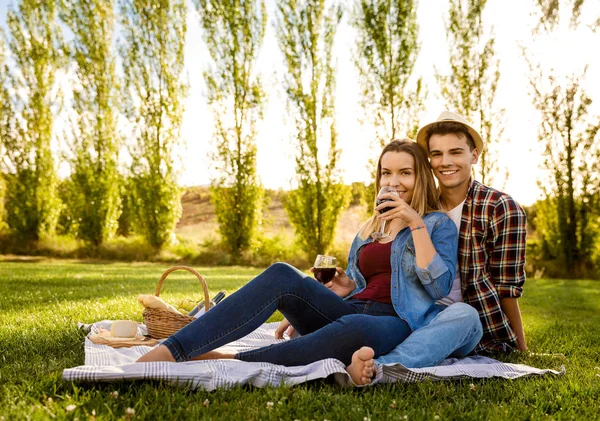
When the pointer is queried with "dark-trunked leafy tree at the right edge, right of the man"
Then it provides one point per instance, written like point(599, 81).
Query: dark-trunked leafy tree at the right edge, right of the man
point(568, 218)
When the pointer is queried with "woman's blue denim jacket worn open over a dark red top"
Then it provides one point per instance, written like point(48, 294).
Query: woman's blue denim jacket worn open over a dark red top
point(414, 290)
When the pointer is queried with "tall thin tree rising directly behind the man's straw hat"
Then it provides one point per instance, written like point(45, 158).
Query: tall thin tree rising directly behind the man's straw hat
point(471, 86)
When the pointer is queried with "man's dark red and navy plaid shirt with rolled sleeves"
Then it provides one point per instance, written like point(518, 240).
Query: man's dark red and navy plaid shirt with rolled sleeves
point(491, 251)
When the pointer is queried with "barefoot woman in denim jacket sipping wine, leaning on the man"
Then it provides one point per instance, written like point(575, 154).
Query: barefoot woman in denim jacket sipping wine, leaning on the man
point(388, 291)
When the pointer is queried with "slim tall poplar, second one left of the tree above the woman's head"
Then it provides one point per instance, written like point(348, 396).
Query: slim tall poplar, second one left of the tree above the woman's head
point(234, 32)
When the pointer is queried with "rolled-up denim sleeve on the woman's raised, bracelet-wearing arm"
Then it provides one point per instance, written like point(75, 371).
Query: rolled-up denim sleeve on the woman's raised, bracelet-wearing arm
point(439, 274)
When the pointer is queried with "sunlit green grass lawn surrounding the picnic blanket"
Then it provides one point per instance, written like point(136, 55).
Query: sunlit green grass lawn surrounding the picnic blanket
point(42, 301)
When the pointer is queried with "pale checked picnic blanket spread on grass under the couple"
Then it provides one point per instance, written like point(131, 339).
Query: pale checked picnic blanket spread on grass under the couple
point(106, 364)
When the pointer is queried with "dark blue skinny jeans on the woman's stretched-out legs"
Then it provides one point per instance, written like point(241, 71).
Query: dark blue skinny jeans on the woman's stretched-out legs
point(330, 327)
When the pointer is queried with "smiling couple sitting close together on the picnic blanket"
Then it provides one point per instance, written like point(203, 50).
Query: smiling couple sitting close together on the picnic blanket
point(402, 298)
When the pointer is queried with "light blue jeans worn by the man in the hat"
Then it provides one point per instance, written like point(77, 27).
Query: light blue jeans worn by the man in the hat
point(455, 332)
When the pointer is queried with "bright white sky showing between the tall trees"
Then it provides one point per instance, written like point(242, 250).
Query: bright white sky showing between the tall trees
point(510, 20)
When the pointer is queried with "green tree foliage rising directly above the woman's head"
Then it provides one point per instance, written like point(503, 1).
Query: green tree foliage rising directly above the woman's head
point(386, 50)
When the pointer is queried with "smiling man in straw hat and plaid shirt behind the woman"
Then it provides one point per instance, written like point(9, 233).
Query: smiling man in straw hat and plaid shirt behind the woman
point(491, 248)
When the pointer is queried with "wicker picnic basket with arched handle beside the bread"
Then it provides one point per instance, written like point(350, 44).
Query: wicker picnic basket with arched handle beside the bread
point(163, 323)
